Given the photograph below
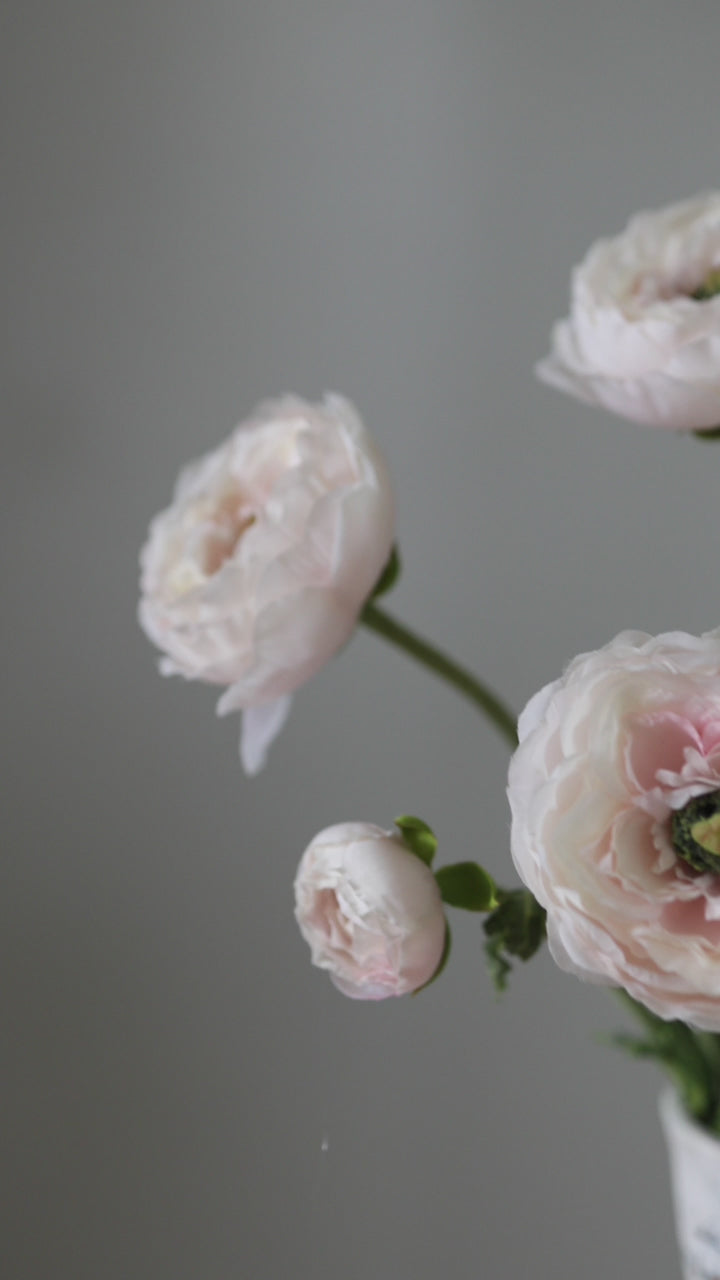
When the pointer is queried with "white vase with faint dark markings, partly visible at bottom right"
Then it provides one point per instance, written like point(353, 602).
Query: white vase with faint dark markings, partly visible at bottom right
point(695, 1171)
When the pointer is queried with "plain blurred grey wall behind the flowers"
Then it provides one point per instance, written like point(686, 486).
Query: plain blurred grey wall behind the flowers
point(209, 204)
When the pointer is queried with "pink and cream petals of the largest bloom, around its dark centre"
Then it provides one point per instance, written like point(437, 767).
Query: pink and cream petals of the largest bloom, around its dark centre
point(608, 752)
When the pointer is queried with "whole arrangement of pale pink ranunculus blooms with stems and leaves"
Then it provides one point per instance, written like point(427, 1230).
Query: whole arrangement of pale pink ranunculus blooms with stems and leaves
point(282, 541)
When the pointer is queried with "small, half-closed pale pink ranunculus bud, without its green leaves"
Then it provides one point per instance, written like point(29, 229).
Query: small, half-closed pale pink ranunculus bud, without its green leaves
point(371, 912)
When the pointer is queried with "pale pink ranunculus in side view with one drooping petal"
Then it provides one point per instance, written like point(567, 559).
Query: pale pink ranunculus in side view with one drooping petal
point(256, 575)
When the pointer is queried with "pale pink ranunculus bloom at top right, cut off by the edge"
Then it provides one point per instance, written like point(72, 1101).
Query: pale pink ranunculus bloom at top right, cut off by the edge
point(637, 342)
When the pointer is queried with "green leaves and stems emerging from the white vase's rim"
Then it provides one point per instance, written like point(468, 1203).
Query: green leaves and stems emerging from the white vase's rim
point(690, 1058)
